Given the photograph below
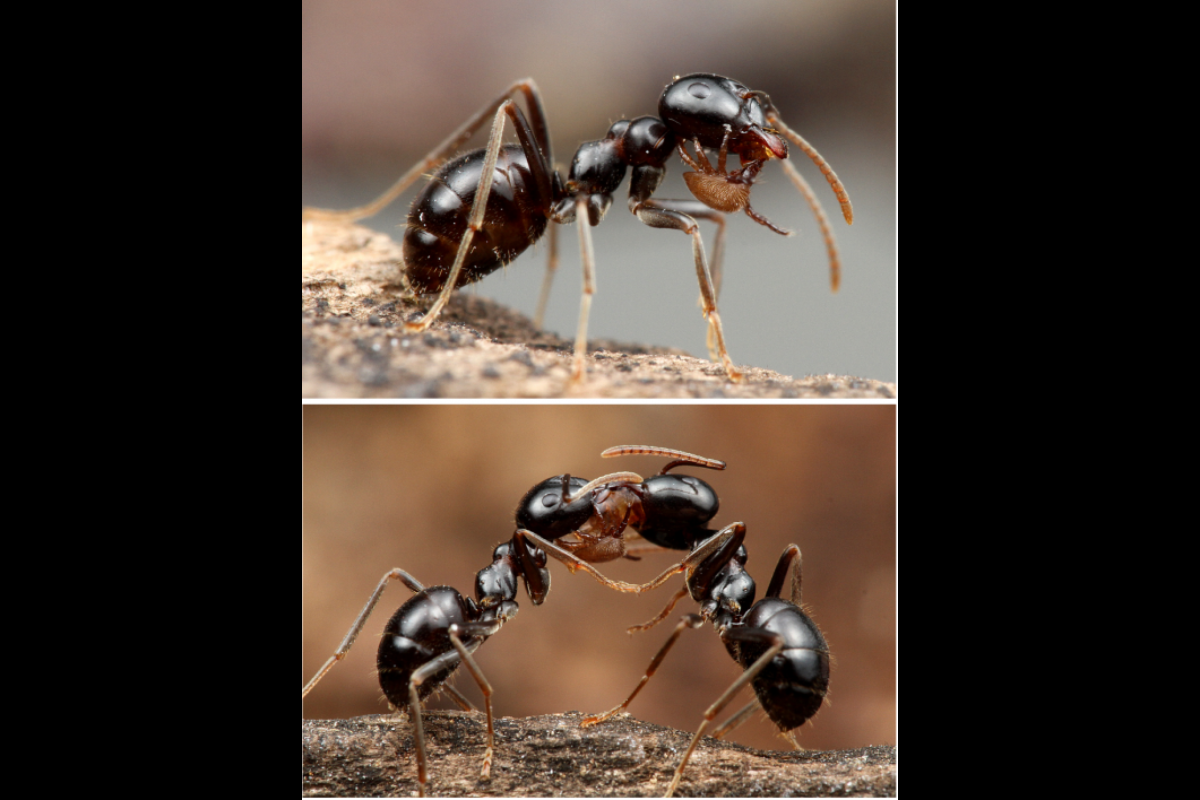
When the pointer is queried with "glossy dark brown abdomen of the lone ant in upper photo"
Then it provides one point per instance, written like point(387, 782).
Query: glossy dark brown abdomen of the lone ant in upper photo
point(437, 221)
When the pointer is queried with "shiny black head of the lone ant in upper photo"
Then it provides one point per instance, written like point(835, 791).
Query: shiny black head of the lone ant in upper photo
point(701, 106)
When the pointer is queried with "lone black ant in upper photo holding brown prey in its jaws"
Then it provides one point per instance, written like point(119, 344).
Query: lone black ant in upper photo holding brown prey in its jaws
point(506, 195)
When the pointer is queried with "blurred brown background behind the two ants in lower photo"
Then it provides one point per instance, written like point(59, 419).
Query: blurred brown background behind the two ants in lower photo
point(433, 490)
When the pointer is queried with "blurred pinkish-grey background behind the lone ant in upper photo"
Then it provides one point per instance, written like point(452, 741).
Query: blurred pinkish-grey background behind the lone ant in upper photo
point(385, 82)
